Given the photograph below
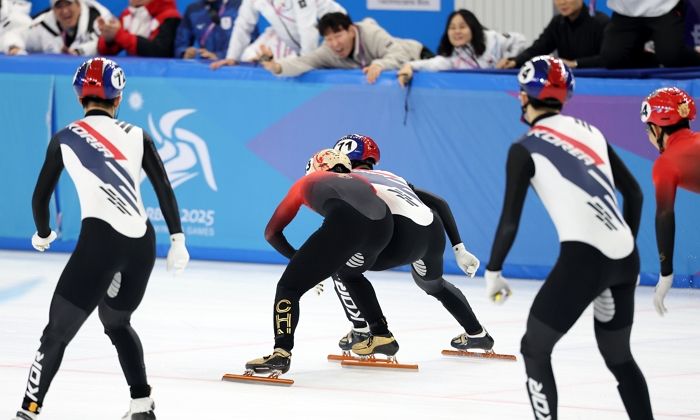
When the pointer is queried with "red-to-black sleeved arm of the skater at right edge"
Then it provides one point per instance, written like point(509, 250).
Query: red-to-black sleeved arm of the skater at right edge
point(665, 182)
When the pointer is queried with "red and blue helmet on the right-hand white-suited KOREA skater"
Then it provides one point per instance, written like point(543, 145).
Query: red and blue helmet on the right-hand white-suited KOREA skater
point(547, 79)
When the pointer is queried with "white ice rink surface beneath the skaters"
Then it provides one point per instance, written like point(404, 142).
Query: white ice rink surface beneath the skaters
point(216, 316)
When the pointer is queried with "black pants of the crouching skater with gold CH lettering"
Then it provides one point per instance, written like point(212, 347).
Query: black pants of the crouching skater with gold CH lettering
point(348, 243)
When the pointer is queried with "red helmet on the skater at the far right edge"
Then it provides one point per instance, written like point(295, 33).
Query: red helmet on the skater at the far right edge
point(667, 106)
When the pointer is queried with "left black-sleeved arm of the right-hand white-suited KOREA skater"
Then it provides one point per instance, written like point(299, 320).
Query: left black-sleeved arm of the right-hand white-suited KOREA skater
point(519, 169)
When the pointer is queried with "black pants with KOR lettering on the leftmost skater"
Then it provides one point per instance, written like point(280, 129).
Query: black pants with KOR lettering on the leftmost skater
point(108, 271)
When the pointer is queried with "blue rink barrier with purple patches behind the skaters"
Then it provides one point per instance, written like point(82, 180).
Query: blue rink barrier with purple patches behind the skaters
point(234, 140)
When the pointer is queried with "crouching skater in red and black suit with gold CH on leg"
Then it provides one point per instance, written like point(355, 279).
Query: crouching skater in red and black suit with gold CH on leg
point(357, 225)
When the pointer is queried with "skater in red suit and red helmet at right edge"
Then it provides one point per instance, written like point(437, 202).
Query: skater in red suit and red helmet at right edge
point(667, 113)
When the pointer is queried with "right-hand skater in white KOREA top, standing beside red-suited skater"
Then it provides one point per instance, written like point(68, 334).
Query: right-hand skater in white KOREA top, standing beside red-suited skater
point(575, 173)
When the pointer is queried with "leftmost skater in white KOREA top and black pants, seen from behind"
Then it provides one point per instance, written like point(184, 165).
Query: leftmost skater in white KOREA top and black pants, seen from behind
point(115, 253)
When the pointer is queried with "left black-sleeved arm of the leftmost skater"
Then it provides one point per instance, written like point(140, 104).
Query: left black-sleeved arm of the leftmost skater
point(45, 184)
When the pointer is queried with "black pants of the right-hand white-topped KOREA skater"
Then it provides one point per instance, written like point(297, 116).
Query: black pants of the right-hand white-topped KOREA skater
point(583, 275)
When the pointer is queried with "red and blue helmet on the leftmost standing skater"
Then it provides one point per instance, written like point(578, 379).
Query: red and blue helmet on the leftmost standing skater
point(99, 77)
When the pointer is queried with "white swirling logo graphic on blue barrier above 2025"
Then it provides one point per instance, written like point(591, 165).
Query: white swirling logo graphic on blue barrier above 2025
point(181, 149)
